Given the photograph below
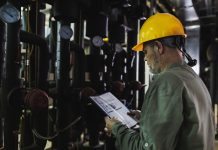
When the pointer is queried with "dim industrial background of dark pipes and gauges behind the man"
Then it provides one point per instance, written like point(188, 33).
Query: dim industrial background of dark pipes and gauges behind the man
point(60, 52)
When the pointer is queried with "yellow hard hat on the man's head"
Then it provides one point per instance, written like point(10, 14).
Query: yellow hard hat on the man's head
point(158, 26)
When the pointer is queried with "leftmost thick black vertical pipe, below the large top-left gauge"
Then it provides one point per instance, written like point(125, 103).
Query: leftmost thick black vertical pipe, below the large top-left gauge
point(10, 79)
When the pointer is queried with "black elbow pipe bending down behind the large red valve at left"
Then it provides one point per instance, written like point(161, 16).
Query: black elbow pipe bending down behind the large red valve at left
point(39, 121)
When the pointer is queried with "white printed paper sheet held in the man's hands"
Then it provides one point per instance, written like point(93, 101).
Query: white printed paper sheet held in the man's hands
point(114, 108)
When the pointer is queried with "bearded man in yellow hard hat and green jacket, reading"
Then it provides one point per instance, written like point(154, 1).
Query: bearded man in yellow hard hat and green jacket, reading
point(177, 112)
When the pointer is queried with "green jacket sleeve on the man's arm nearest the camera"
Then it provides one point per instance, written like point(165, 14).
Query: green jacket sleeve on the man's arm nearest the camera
point(160, 121)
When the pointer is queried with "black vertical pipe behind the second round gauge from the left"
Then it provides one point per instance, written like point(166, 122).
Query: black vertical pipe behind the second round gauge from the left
point(62, 85)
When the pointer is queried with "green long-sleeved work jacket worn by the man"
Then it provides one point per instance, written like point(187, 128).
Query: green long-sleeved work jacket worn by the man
point(176, 115)
